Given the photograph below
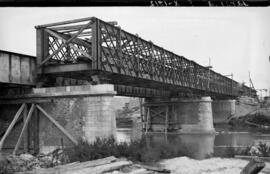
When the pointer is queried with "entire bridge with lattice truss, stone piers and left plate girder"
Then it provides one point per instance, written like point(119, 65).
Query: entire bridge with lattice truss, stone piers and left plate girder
point(81, 65)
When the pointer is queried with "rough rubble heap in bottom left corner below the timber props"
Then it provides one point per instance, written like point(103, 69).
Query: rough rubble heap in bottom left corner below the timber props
point(27, 162)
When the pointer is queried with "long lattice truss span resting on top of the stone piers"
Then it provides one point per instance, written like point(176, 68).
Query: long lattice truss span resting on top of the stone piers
point(89, 49)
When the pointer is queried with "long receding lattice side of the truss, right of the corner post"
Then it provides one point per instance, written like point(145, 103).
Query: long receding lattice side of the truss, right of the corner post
point(129, 54)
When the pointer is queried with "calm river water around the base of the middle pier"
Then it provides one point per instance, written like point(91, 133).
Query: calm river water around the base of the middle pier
point(200, 145)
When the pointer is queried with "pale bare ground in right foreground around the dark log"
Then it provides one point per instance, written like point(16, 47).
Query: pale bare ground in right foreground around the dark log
point(185, 165)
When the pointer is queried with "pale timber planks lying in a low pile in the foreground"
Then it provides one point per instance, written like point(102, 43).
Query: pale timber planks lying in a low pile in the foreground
point(108, 165)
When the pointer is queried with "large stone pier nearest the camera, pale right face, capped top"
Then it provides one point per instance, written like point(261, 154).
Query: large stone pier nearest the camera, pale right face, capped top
point(87, 114)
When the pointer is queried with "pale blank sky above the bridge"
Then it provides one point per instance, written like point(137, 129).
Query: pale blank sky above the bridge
point(236, 39)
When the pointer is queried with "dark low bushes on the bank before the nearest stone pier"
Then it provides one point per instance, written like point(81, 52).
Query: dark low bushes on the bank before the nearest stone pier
point(141, 150)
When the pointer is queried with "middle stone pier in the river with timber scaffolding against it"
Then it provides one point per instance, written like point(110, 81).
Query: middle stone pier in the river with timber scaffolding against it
point(182, 115)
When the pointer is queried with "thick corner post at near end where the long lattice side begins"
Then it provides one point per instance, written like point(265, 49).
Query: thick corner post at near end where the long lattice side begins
point(96, 42)
